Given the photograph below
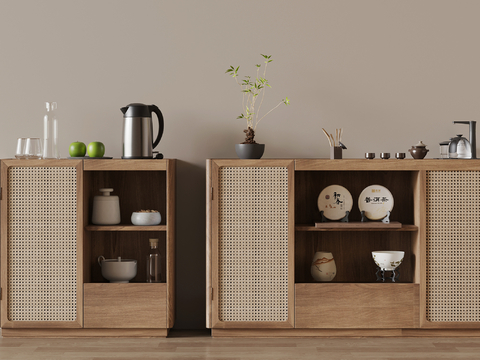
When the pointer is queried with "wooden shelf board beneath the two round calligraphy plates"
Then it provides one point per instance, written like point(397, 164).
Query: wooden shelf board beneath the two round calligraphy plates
point(356, 226)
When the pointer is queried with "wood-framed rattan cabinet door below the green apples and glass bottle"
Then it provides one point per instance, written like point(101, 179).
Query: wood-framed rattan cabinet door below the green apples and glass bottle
point(41, 246)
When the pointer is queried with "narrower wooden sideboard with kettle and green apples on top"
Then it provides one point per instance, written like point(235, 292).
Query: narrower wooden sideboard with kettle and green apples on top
point(51, 281)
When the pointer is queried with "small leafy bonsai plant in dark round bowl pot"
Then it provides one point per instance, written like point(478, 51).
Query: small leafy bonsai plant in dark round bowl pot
point(253, 90)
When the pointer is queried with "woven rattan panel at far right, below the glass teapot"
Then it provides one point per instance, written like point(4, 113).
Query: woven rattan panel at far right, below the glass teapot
point(453, 246)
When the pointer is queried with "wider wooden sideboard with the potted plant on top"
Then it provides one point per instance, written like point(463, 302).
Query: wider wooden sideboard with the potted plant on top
point(261, 239)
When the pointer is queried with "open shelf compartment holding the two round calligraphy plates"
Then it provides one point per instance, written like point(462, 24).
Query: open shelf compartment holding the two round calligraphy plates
point(352, 243)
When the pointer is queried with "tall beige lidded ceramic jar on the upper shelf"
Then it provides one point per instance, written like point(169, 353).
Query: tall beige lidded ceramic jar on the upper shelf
point(106, 208)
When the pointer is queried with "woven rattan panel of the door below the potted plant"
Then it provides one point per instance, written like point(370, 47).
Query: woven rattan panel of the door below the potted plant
point(253, 244)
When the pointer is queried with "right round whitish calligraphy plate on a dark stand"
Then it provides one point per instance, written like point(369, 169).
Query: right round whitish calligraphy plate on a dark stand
point(376, 201)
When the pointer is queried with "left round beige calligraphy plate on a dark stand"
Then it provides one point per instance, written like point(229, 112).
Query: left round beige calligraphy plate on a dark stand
point(335, 201)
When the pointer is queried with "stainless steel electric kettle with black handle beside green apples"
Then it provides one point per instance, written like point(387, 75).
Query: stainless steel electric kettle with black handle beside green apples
point(138, 131)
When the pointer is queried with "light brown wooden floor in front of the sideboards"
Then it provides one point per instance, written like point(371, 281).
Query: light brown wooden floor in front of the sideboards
point(199, 345)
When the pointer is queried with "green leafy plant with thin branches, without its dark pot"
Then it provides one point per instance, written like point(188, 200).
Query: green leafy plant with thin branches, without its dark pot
point(253, 90)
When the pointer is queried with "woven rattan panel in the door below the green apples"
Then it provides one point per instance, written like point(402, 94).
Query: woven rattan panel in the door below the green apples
point(42, 244)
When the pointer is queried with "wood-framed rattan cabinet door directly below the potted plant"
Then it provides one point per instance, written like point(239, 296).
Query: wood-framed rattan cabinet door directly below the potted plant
point(252, 283)
